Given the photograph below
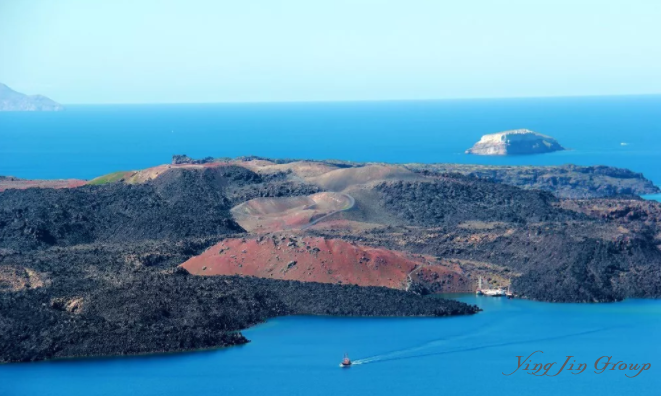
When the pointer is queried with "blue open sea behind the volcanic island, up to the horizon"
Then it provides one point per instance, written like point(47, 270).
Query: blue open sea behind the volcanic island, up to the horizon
point(88, 141)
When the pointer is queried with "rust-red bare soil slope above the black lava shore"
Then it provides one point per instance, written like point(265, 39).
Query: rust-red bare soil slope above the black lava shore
point(313, 260)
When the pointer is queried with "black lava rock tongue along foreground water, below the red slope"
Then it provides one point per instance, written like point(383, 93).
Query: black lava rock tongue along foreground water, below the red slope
point(157, 313)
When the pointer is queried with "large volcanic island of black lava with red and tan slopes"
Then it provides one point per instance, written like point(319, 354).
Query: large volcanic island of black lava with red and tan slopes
point(185, 255)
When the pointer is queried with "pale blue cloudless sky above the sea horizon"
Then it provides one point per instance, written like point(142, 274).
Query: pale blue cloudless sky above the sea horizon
point(145, 51)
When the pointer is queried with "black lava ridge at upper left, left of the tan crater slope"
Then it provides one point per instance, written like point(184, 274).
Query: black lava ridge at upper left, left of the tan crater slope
point(192, 203)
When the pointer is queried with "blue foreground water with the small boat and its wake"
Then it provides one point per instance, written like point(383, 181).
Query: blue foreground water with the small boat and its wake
point(453, 356)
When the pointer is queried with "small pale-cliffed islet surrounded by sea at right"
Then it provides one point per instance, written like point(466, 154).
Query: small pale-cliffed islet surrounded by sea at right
point(515, 142)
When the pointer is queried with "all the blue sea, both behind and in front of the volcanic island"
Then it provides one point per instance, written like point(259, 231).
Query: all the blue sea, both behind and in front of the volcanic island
point(300, 355)
